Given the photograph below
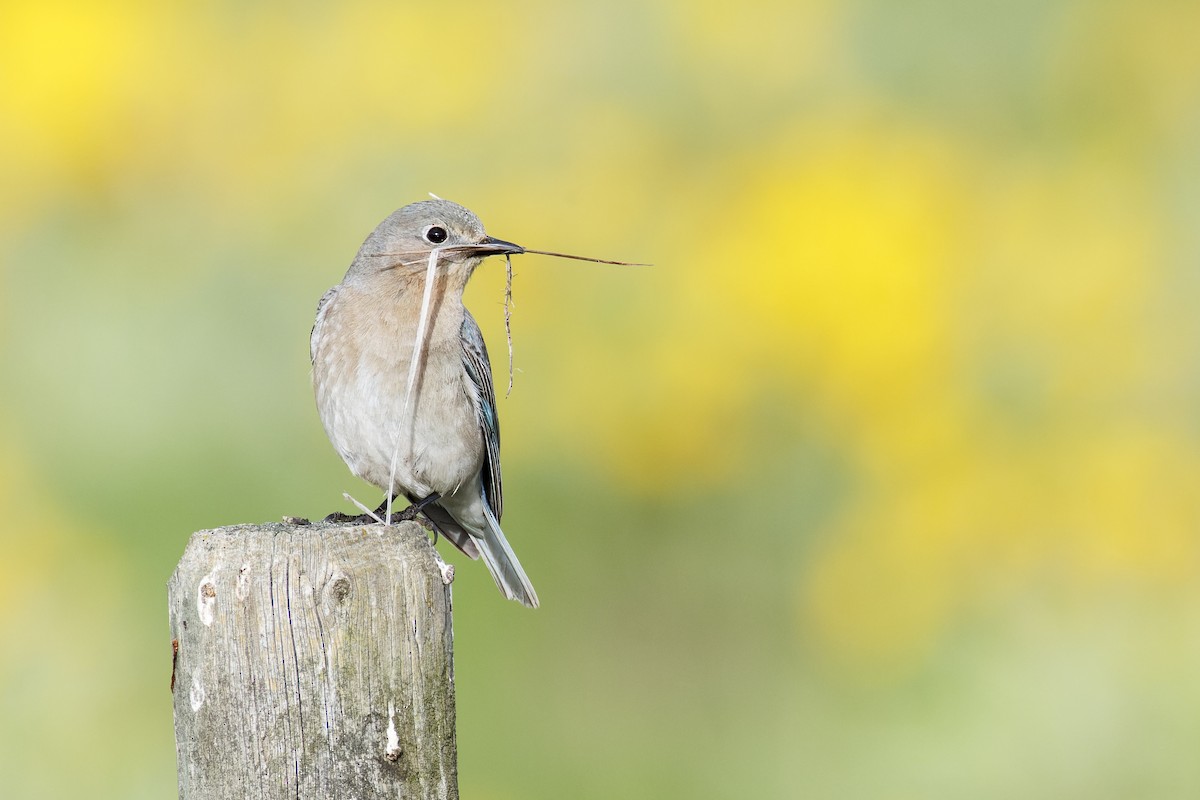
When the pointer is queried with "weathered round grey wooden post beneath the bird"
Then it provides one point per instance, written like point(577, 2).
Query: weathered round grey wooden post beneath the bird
point(313, 663)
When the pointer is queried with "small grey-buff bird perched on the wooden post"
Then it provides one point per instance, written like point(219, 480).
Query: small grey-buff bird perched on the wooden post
point(404, 384)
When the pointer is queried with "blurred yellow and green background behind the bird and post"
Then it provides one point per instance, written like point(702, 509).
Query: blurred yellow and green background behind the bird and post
point(883, 483)
